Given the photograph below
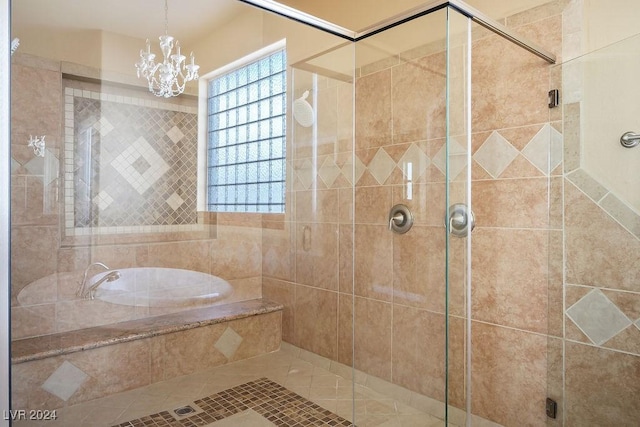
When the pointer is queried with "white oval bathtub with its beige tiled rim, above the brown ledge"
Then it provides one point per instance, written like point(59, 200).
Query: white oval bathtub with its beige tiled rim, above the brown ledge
point(50, 305)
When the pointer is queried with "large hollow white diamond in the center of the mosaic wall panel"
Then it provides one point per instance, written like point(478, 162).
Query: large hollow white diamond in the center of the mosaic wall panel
point(124, 164)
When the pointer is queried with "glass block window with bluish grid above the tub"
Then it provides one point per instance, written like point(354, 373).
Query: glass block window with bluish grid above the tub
point(246, 137)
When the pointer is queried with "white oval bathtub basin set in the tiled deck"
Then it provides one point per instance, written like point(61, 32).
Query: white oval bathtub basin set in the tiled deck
point(160, 287)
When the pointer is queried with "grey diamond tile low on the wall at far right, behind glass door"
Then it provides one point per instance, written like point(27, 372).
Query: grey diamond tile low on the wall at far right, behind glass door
point(598, 317)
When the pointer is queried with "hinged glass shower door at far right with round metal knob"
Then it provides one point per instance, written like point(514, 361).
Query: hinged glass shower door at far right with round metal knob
point(601, 207)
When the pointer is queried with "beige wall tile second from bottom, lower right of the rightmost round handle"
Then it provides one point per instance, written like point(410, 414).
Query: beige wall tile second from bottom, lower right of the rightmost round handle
point(510, 282)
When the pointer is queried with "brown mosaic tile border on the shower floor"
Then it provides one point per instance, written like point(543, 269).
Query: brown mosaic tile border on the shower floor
point(269, 399)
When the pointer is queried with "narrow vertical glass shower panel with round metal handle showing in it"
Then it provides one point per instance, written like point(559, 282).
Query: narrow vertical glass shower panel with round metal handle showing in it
point(458, 219)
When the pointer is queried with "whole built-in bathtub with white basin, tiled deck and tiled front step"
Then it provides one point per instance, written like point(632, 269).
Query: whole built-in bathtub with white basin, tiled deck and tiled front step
point(155, 323)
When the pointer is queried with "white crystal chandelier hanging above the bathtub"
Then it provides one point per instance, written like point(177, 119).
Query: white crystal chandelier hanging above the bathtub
point(166, 78)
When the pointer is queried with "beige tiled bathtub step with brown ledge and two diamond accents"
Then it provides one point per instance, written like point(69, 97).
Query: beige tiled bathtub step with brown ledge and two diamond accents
point(67, 368)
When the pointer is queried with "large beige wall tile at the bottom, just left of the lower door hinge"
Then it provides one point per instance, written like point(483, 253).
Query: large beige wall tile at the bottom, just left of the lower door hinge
point(509, 375)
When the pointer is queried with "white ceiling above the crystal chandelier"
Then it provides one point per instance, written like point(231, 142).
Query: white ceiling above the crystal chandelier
point(188, 19)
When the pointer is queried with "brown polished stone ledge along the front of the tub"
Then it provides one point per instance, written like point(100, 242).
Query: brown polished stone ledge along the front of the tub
point(36, 348)
